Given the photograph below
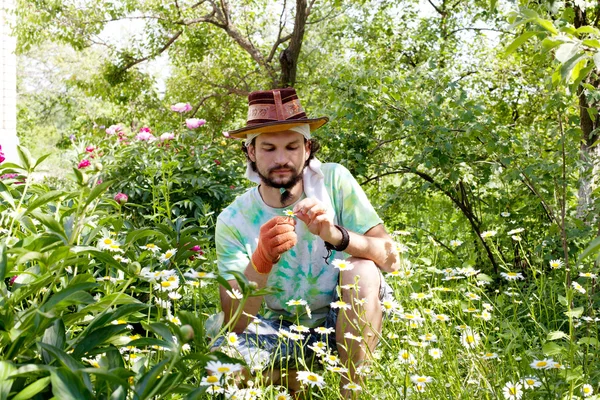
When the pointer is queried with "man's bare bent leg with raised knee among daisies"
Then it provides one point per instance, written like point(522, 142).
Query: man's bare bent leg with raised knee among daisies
point(364, 318)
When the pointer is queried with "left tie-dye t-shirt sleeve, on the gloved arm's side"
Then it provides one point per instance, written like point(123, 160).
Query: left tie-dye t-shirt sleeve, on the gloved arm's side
point(231, 253)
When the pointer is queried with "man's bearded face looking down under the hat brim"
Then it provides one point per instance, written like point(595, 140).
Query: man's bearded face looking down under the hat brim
point(280, 158)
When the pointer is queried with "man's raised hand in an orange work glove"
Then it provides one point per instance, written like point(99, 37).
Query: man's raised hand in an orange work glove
point(276, 237)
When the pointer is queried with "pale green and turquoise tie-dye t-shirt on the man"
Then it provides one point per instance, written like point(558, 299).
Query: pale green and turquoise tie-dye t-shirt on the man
point(301, 273)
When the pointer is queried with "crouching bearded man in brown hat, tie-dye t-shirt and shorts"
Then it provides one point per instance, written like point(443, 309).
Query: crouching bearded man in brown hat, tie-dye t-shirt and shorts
point(288, 233)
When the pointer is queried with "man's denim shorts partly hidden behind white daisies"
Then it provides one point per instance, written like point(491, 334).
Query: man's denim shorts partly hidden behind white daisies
point(263, 346)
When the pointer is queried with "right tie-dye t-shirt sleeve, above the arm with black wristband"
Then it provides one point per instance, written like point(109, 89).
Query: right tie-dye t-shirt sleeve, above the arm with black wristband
point(354, 210)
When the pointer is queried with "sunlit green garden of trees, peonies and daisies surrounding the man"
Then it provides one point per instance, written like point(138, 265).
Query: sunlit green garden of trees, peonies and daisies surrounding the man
point(471, 125)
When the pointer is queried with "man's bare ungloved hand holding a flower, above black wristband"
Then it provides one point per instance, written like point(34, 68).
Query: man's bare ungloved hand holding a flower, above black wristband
point(314, 214)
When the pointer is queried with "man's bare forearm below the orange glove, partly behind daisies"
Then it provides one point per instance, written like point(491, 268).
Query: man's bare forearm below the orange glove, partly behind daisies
point(251, 305)
